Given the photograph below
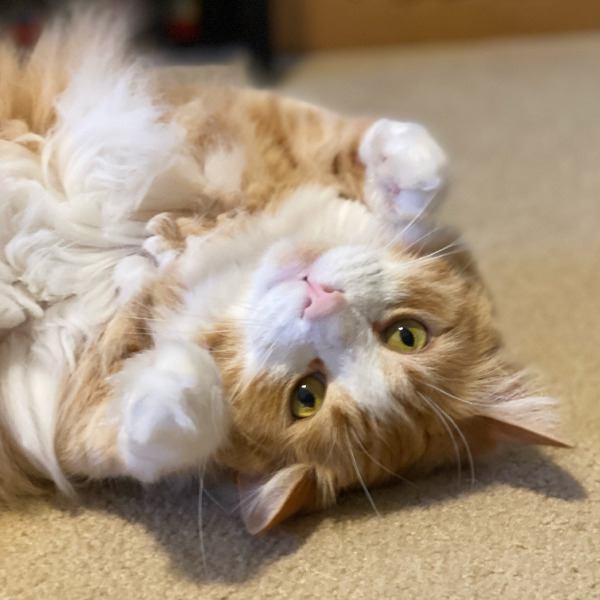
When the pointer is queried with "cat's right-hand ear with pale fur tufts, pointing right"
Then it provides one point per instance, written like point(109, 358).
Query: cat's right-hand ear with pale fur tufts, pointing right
point(528, 420)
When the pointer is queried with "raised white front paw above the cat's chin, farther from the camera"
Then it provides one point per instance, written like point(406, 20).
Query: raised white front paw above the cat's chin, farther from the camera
point(405, 168)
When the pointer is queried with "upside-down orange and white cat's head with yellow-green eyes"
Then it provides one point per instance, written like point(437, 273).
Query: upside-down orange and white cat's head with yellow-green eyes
point(360, 354)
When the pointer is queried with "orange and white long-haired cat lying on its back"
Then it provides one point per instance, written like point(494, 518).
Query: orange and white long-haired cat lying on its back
point(196, 277)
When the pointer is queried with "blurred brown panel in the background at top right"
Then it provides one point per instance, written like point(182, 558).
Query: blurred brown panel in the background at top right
point(313, 25)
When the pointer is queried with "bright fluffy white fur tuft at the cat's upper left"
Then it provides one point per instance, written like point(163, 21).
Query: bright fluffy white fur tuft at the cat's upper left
point(109, 143)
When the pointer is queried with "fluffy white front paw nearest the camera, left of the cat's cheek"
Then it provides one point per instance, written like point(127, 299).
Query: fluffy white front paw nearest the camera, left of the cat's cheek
point(171, 408)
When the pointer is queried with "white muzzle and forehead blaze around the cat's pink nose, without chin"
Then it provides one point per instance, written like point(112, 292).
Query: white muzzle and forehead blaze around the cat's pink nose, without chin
point(279, 337)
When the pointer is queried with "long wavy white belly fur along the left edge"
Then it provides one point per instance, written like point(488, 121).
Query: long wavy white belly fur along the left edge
point(62, 233)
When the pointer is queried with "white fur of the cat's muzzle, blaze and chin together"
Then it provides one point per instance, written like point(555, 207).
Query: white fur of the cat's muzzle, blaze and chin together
point(281, 340)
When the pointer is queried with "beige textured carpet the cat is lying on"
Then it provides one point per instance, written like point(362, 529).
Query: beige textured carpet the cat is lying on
point(521, 121)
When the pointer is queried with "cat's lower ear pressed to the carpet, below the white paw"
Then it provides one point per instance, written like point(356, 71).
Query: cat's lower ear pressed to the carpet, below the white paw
point(266, 502)
